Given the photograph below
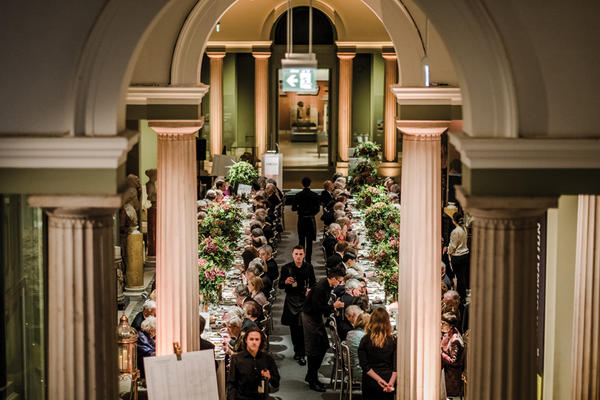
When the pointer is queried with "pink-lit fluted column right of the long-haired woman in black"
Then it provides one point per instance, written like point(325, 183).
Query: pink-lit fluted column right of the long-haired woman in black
point(419, 360)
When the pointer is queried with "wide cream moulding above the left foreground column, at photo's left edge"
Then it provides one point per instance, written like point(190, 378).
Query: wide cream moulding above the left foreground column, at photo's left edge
point(66, 152)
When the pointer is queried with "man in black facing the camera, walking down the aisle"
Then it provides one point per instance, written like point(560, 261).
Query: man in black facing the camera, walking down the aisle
point(296, 278)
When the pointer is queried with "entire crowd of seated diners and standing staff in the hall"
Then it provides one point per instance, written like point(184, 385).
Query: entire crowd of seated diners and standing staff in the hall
point(340, 297)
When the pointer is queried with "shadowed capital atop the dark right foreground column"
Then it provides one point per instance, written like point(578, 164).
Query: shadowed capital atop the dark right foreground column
point(505, 206)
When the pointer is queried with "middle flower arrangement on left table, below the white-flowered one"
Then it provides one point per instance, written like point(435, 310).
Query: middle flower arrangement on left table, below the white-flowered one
point(222, 220)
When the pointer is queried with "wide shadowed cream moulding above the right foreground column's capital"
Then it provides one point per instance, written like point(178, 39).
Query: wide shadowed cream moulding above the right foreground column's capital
point(525, 153)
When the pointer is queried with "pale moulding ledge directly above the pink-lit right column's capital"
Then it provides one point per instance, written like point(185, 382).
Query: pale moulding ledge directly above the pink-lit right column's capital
point(427, 95)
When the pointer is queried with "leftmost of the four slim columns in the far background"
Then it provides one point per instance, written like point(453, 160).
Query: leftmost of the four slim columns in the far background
point(216, 101)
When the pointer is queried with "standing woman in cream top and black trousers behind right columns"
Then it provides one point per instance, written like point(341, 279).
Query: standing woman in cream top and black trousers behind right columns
point(459, 255)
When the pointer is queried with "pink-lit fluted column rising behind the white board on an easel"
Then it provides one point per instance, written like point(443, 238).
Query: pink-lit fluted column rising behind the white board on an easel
point(176, 237)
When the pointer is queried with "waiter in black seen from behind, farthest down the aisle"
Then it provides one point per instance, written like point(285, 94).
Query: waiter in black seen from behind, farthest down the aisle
point(307, 204)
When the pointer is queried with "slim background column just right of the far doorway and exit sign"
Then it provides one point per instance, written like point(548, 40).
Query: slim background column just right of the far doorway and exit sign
point(344, 110)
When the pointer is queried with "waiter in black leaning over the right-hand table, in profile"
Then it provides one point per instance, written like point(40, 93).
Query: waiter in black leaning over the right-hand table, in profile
point(318, 306)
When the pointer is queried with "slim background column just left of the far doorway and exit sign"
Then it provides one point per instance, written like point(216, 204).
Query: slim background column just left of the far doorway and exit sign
point(261, 101)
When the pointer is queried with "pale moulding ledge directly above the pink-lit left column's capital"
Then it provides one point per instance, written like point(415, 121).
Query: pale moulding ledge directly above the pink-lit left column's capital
point(142, 95)
